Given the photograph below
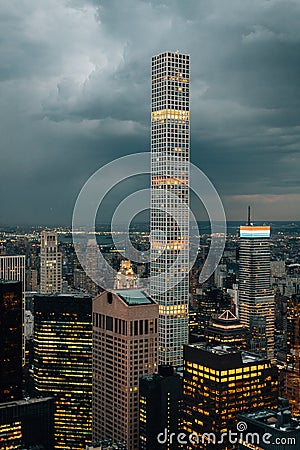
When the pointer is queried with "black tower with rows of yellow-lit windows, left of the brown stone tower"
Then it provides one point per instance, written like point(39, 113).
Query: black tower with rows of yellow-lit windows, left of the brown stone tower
point(63, 364)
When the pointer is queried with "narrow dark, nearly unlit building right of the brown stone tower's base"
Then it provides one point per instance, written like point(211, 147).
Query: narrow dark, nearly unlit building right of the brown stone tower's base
point(160, 408)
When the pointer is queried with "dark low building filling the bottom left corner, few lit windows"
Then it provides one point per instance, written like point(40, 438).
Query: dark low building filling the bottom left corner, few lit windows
point(27, 424)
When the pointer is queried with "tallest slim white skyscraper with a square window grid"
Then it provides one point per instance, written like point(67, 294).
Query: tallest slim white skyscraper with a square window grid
point(170, 154)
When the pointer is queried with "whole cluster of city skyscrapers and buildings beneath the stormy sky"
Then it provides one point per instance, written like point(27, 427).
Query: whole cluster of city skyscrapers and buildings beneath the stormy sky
point(177, 365)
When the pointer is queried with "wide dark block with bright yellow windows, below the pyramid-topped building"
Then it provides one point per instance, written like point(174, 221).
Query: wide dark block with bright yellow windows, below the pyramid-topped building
point(218, 383)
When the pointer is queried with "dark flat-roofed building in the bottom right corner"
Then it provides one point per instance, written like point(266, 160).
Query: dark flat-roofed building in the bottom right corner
point(268, 429)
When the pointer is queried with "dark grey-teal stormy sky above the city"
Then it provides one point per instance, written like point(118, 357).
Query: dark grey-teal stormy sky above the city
point(75, 94)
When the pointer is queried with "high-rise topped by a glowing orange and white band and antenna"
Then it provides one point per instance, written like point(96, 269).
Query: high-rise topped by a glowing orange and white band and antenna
point(256, 299)
